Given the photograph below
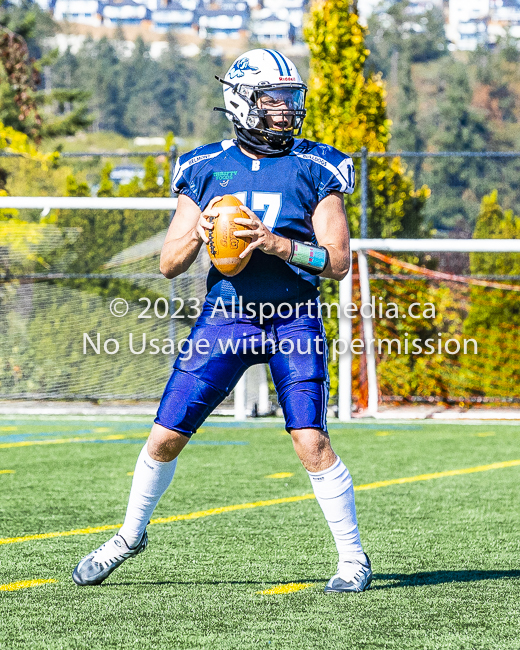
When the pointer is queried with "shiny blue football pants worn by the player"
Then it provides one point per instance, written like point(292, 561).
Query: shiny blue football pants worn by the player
point(219, 350)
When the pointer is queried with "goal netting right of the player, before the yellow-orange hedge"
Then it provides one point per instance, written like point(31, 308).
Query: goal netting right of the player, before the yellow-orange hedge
point(445, 329)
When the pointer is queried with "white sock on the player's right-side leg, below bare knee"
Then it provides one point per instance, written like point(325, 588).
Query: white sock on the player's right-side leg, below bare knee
point(335, 494)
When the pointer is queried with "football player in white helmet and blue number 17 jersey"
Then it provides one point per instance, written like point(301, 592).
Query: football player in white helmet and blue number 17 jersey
point(293, 189)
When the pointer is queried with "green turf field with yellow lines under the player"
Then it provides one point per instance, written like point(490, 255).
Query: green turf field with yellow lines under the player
point(445, 550)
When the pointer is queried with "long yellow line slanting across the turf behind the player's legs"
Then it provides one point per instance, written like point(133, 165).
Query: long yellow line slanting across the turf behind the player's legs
point(261, 504)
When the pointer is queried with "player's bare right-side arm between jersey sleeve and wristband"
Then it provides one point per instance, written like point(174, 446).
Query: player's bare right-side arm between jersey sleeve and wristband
point(331, 229)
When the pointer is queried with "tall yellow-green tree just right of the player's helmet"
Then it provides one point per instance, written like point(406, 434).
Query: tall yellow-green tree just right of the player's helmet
point(347, 109)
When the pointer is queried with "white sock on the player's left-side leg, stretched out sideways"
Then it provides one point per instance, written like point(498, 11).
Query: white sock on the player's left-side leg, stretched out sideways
point(151, 479)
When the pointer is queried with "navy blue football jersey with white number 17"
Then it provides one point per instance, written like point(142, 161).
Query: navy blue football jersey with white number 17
point(283, 191)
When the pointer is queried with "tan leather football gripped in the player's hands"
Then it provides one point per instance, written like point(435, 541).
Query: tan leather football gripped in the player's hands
point(223, 247)
